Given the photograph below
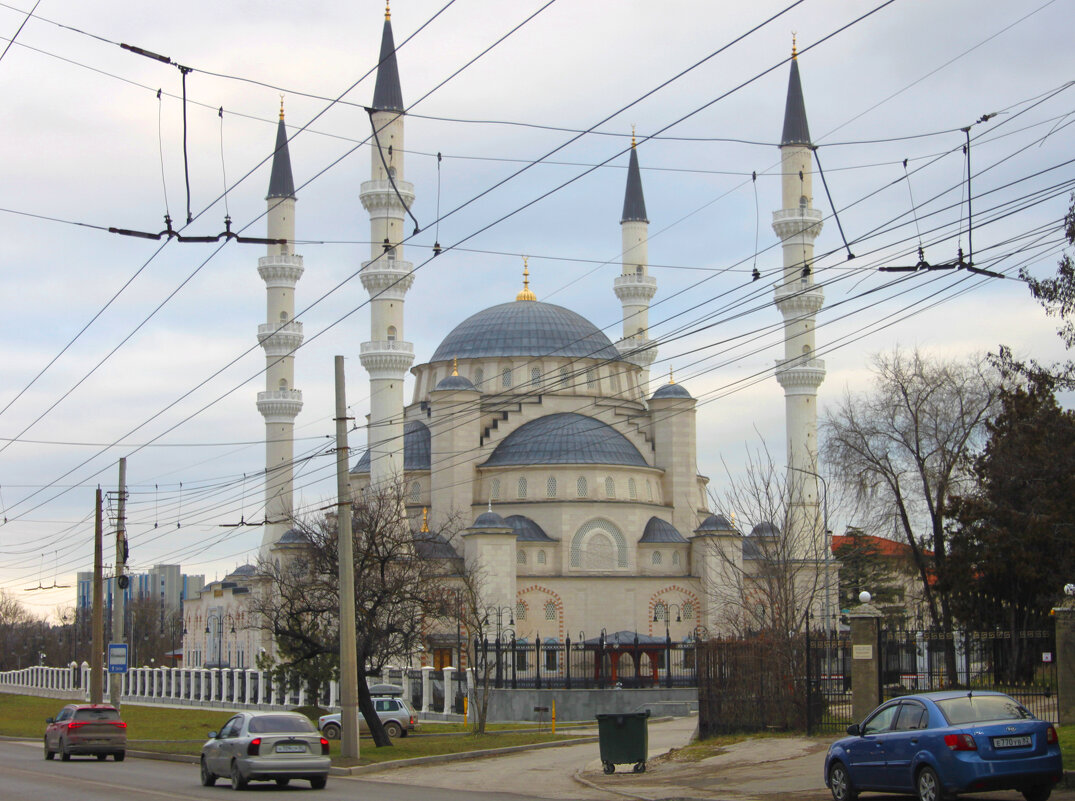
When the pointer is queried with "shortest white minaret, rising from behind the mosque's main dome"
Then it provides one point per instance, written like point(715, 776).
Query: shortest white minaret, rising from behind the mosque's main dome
point(636, 288)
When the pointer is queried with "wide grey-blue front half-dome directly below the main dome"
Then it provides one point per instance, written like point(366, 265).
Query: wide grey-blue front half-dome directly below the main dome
point(566, 439)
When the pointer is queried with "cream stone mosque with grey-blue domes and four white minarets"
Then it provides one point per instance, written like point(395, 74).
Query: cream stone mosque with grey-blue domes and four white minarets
point(532, 448)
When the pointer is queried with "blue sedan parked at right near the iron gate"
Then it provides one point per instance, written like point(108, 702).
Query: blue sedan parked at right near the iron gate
point(938, 745)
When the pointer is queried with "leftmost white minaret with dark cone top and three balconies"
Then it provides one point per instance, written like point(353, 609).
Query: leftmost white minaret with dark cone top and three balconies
point(281, 337)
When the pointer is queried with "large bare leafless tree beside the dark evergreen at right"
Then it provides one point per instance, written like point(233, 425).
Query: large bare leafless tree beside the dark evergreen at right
point(905, 449)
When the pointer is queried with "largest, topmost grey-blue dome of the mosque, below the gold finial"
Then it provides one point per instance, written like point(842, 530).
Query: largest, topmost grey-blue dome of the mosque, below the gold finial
point(526, 328)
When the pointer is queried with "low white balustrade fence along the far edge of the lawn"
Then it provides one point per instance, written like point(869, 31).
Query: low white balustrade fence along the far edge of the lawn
point(220, 688)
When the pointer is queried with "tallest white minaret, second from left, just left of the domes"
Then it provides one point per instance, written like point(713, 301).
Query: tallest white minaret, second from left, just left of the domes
point(386, 276)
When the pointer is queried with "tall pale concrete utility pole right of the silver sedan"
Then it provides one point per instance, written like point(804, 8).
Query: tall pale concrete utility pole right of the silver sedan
point(349, 647)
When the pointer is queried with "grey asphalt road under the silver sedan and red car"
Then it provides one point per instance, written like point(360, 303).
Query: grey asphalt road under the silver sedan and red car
point(26, 777)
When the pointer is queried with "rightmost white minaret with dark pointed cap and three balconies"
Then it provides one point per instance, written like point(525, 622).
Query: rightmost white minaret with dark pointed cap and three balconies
point(798, 224)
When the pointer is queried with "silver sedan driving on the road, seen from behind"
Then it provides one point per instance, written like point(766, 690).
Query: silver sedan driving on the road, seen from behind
point(266, 747)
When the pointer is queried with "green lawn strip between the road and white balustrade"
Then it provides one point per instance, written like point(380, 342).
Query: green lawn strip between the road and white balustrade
point(184, 731)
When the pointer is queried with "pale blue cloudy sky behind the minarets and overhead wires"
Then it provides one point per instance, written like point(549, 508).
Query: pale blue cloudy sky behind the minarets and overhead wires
point(520, 118)
